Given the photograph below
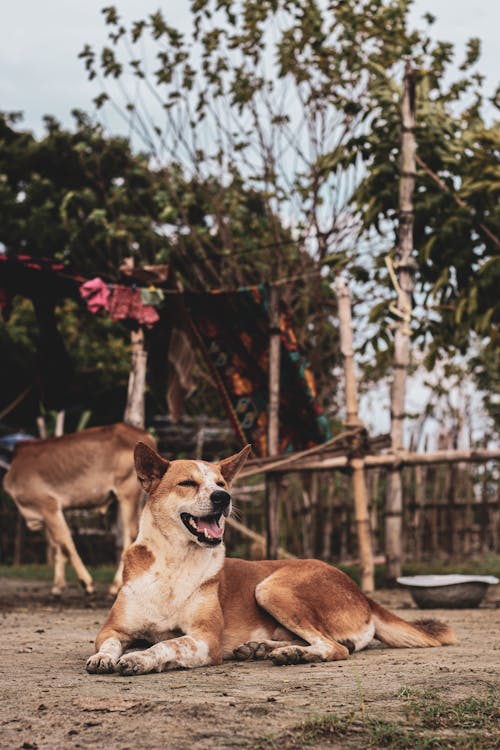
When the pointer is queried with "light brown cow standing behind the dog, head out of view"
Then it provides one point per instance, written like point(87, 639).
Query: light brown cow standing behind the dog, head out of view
point(77, 471)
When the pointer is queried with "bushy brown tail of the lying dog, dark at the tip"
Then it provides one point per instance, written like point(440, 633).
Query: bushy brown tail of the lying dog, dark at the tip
point(398, 633)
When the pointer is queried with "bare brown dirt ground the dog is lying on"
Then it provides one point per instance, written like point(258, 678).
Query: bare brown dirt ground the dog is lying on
point(47, 700)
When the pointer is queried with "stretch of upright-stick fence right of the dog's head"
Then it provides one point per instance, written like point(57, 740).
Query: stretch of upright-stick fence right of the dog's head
point(451, 511)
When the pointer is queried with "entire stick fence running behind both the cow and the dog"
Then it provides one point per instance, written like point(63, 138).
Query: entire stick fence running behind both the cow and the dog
point(451, 512)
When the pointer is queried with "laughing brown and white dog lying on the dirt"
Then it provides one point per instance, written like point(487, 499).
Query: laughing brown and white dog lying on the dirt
point(197, 607)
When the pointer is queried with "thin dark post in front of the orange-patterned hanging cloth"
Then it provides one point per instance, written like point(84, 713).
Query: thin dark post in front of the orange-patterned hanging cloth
point(273, 482)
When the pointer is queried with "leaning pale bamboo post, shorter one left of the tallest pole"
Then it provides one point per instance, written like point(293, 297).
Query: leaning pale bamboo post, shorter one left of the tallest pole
point(353, 420)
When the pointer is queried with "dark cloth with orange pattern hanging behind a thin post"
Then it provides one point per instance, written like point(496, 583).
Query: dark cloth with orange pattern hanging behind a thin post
point(233, 331)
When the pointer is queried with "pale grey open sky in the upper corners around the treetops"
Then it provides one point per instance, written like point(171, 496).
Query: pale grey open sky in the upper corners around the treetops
point(40, 41)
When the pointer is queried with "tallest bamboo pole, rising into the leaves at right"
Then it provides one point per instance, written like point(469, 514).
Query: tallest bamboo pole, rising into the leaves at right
point(404, 270)
